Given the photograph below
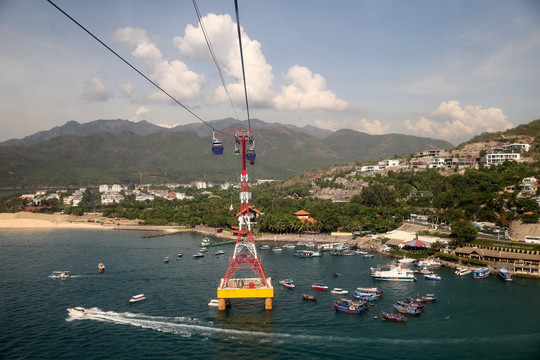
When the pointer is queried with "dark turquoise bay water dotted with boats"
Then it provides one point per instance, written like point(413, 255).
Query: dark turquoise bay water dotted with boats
point(472, 319)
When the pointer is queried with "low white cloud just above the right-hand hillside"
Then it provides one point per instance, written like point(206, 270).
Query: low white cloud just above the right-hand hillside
point(453, 123)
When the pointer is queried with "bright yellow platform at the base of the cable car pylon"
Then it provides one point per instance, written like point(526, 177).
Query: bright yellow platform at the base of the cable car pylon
point(245, 288)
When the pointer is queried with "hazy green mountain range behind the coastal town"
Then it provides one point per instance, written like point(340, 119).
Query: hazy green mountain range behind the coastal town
point(118, 151)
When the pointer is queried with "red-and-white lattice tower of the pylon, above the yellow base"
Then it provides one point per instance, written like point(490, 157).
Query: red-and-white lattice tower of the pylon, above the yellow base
point(245, 254)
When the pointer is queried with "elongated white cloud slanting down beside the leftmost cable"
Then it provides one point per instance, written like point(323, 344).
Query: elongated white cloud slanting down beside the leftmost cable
point(174, 77)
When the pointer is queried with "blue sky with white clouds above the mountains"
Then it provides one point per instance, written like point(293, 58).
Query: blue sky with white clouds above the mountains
point(443, 69)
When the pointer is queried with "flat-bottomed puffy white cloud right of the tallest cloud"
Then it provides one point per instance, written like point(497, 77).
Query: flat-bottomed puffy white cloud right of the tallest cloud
point(307, 91)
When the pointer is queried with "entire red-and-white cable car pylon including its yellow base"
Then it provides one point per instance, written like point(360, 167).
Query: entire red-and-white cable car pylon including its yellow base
point(245, 254)
